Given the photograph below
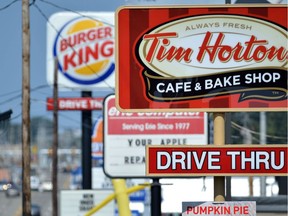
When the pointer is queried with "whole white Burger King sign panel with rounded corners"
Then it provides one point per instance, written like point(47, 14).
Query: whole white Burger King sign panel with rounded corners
point(84, 46)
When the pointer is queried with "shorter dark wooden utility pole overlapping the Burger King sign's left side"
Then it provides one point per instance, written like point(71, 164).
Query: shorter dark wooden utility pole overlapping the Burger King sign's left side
point(55, 142)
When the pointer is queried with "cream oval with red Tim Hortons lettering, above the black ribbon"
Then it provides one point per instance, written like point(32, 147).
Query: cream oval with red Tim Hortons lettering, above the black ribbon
point(210, 44)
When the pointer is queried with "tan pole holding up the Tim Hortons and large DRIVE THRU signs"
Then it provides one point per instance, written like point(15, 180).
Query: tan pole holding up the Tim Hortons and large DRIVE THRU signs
point(219, 140)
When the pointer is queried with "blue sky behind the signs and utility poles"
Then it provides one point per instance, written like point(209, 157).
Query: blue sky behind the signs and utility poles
point(11, 53)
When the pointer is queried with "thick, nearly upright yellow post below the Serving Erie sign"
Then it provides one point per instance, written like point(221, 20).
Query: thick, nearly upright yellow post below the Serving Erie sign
point(121, 197)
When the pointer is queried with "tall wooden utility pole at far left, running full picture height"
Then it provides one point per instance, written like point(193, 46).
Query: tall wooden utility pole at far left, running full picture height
point(26, 199)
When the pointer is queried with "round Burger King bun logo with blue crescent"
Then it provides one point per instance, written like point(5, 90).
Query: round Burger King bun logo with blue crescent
point(85, 50)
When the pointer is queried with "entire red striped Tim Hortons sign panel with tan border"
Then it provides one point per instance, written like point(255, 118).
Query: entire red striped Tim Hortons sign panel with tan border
point(206, 58)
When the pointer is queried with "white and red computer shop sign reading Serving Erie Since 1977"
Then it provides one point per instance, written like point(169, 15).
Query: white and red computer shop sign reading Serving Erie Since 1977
point(127, 134)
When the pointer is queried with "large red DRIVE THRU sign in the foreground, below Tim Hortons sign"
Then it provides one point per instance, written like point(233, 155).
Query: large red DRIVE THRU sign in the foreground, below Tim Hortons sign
point(228, 160)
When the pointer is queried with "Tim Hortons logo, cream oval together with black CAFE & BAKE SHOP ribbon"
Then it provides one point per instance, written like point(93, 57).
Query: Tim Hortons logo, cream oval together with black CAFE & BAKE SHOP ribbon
point(212, 55)
